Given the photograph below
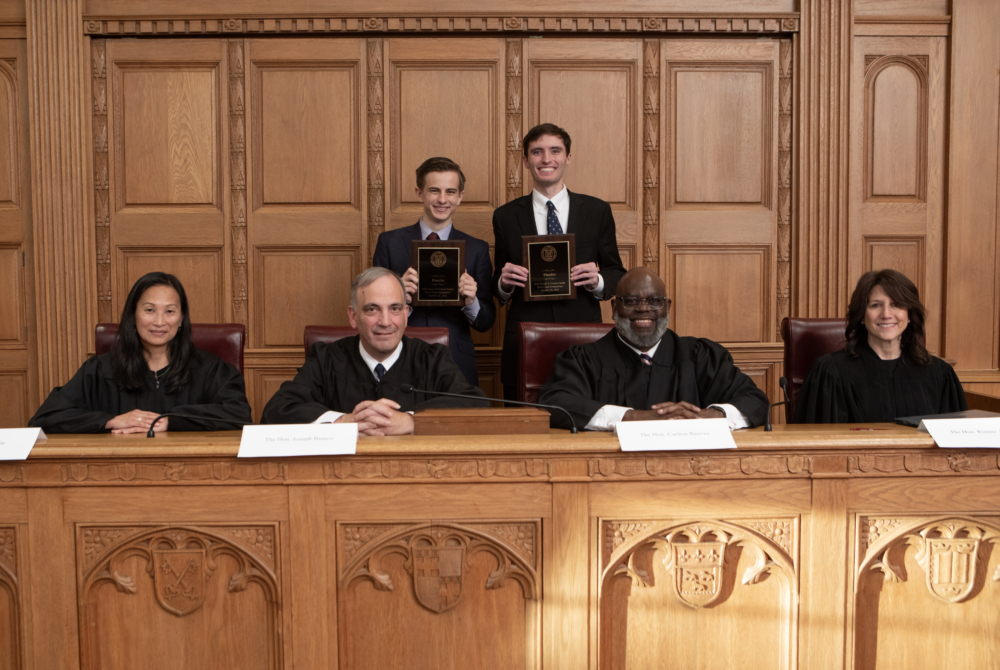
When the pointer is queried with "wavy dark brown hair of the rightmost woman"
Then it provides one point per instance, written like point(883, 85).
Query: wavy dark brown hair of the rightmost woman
point(902, 292)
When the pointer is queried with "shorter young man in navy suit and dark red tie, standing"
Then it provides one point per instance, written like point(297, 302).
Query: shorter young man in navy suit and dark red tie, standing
point(440, 185)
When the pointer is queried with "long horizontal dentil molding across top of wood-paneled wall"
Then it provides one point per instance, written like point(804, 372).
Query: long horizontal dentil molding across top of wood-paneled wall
point(764, 23)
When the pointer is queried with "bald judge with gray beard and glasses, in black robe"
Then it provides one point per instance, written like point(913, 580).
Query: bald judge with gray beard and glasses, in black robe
point(644, 371)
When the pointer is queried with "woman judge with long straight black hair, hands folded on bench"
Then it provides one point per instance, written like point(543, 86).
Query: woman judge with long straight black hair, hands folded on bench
point(152, 368)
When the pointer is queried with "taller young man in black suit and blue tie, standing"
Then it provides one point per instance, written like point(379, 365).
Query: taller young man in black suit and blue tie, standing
point(551, 209)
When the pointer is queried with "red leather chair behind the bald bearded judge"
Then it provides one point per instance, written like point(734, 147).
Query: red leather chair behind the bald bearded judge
point(540, 342)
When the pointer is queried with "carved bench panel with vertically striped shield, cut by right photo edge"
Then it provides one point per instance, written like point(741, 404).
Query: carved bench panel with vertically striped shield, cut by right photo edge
point(926, 591)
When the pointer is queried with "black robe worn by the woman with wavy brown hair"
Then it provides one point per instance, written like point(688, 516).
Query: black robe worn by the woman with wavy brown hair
point(866, 389)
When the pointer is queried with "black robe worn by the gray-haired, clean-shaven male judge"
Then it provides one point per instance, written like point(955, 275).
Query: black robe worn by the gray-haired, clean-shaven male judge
point(335, 377)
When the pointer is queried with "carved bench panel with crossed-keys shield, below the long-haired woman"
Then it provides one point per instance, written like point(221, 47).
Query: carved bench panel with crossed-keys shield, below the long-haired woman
point(169, 596)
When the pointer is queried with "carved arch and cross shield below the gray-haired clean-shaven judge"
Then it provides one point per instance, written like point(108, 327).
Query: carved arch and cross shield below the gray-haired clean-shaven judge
point(437, 556)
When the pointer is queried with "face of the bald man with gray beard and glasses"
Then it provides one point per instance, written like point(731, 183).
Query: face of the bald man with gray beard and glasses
point(642, 325)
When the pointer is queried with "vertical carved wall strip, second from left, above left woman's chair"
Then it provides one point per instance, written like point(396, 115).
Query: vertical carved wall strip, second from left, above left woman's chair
point(238, 181)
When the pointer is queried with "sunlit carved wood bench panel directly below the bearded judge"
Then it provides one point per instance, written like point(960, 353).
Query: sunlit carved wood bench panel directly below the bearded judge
point(665, 583)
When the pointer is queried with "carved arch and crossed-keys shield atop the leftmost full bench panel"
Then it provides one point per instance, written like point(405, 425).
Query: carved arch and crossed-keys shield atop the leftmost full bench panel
point(180, 561)
